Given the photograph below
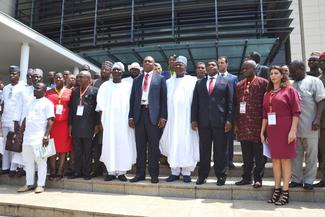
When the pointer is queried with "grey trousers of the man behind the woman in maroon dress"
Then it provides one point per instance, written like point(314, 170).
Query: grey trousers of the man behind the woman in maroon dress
point(307, 148)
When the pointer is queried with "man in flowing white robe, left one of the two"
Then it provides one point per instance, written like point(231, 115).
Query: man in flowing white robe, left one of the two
point(113, 101)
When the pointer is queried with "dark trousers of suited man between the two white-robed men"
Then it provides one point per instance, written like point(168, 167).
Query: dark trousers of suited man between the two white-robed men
point(147, 137)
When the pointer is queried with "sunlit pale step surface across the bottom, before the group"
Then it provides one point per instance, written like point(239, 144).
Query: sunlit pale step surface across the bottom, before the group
point(133, 205)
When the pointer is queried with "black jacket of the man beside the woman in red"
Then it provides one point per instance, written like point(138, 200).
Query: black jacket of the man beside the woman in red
point(84, 126)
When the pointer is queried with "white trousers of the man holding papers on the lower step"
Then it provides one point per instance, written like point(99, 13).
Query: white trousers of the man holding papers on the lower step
point(29, 161)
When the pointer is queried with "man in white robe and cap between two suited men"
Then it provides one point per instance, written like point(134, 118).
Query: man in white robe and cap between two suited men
point(179, 142)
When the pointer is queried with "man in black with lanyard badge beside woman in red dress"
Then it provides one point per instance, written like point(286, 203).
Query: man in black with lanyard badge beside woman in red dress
point(83, 124)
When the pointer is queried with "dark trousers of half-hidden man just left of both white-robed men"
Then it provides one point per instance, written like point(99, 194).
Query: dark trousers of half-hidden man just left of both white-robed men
point(98, 166)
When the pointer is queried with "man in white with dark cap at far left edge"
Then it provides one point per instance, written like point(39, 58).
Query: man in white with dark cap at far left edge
point(11, 116)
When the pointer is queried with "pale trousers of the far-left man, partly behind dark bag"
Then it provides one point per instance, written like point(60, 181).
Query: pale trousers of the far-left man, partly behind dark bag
point(7, 155)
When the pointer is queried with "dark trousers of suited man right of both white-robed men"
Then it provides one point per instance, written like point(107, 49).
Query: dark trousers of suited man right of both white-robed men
point(219, 138)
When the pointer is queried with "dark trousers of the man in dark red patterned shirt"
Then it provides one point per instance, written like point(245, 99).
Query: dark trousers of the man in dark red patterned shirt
point(253, 151)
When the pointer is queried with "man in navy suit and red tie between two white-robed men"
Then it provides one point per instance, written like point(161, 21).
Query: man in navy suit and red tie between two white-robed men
point(148, 115)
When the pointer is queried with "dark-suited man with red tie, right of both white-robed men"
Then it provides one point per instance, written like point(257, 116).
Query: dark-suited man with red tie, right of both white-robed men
point(212, 115)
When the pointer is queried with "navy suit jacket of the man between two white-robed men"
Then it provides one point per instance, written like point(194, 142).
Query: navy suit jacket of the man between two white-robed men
point(157, 99)
